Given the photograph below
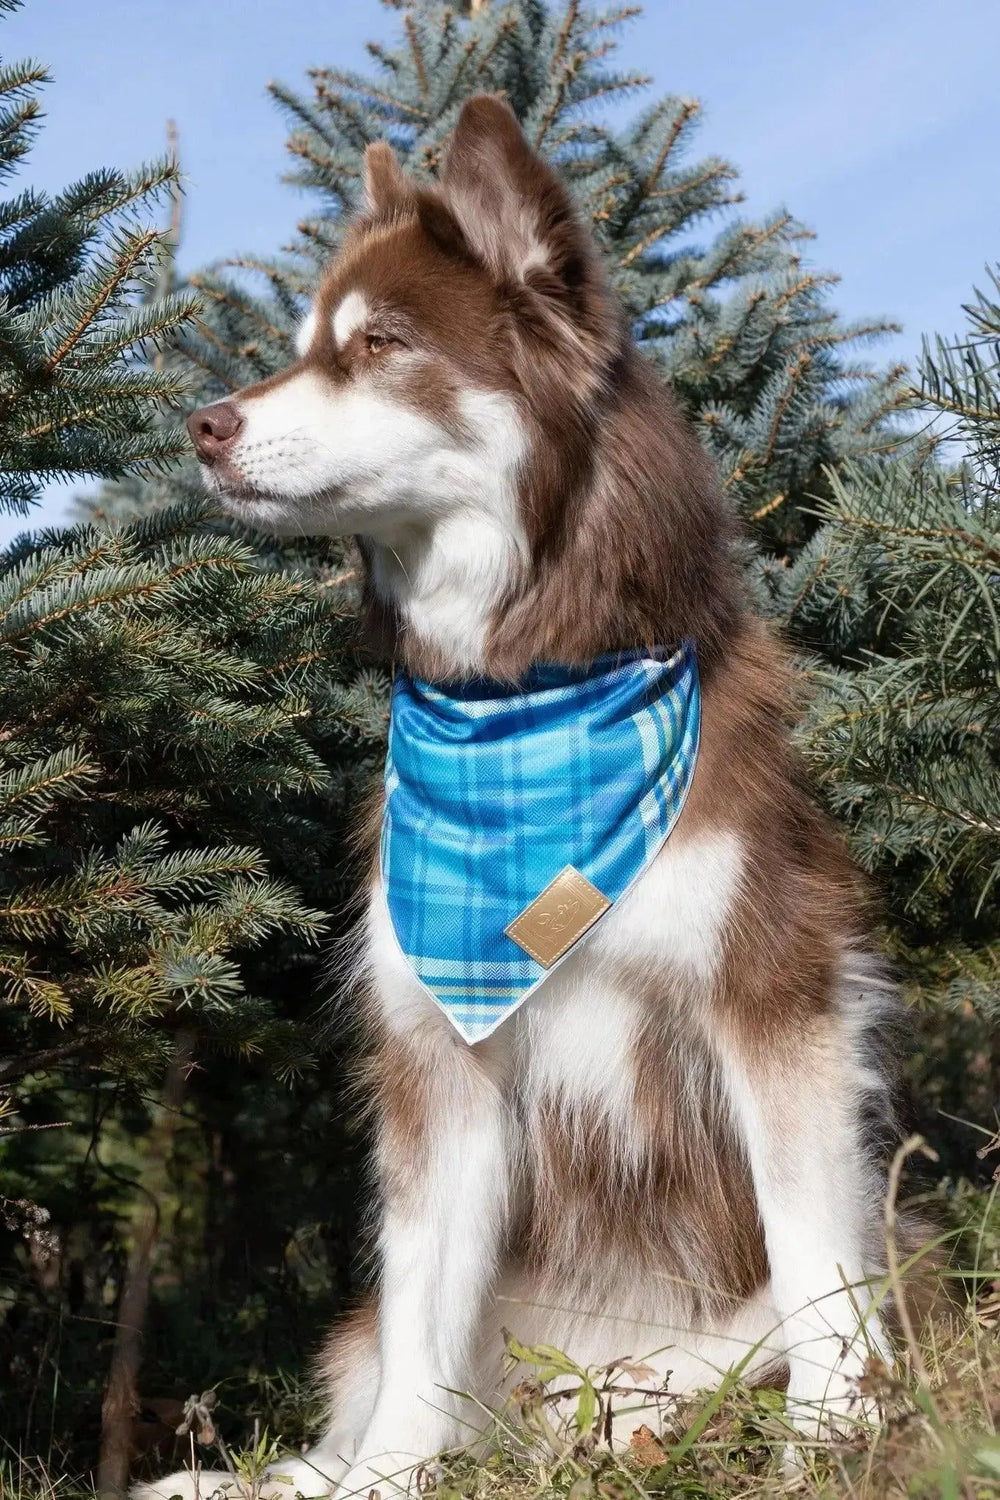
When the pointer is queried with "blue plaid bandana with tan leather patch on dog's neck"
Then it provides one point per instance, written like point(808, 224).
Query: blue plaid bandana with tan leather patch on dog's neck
point(515, 820)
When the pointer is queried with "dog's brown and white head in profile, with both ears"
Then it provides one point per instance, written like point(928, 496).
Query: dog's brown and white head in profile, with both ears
point(461, 329)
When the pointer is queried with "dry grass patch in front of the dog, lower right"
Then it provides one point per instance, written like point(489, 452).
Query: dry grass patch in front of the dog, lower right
point(938, 1436)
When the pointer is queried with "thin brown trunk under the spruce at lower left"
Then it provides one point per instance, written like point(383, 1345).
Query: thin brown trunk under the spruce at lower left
point(121, 1403)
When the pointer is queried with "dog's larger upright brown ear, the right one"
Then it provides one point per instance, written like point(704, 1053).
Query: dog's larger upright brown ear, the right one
point(513, 209)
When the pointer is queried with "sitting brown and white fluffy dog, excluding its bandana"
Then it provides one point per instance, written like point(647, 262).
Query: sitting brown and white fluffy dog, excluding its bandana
point(672, 1151)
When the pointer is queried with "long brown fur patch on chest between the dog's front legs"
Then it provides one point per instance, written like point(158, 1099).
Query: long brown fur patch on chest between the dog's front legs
point(668, 1213)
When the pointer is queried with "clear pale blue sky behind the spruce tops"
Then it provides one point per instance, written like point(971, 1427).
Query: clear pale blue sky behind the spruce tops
point(873, 121)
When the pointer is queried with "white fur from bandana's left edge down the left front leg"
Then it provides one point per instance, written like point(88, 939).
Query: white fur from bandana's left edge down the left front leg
point(437, 1265)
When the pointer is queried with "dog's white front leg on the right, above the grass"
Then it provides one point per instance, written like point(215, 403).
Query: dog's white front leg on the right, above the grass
point(798, 1105)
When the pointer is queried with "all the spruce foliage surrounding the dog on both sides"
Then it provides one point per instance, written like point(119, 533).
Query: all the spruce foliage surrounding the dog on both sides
point(188, 721)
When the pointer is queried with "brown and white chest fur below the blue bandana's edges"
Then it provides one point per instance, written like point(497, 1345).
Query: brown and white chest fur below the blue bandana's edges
point(609, 1076)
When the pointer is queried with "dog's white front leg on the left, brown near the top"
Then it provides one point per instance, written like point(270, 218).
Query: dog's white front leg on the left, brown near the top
point(445, 1166)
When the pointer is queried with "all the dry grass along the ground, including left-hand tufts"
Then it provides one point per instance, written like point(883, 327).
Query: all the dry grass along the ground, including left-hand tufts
point(936, 1438)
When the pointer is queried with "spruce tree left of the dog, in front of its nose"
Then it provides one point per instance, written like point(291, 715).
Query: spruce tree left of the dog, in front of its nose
point(172, 743)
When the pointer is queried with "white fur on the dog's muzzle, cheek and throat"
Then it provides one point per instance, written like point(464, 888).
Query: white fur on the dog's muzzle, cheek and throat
point(440, 509)
